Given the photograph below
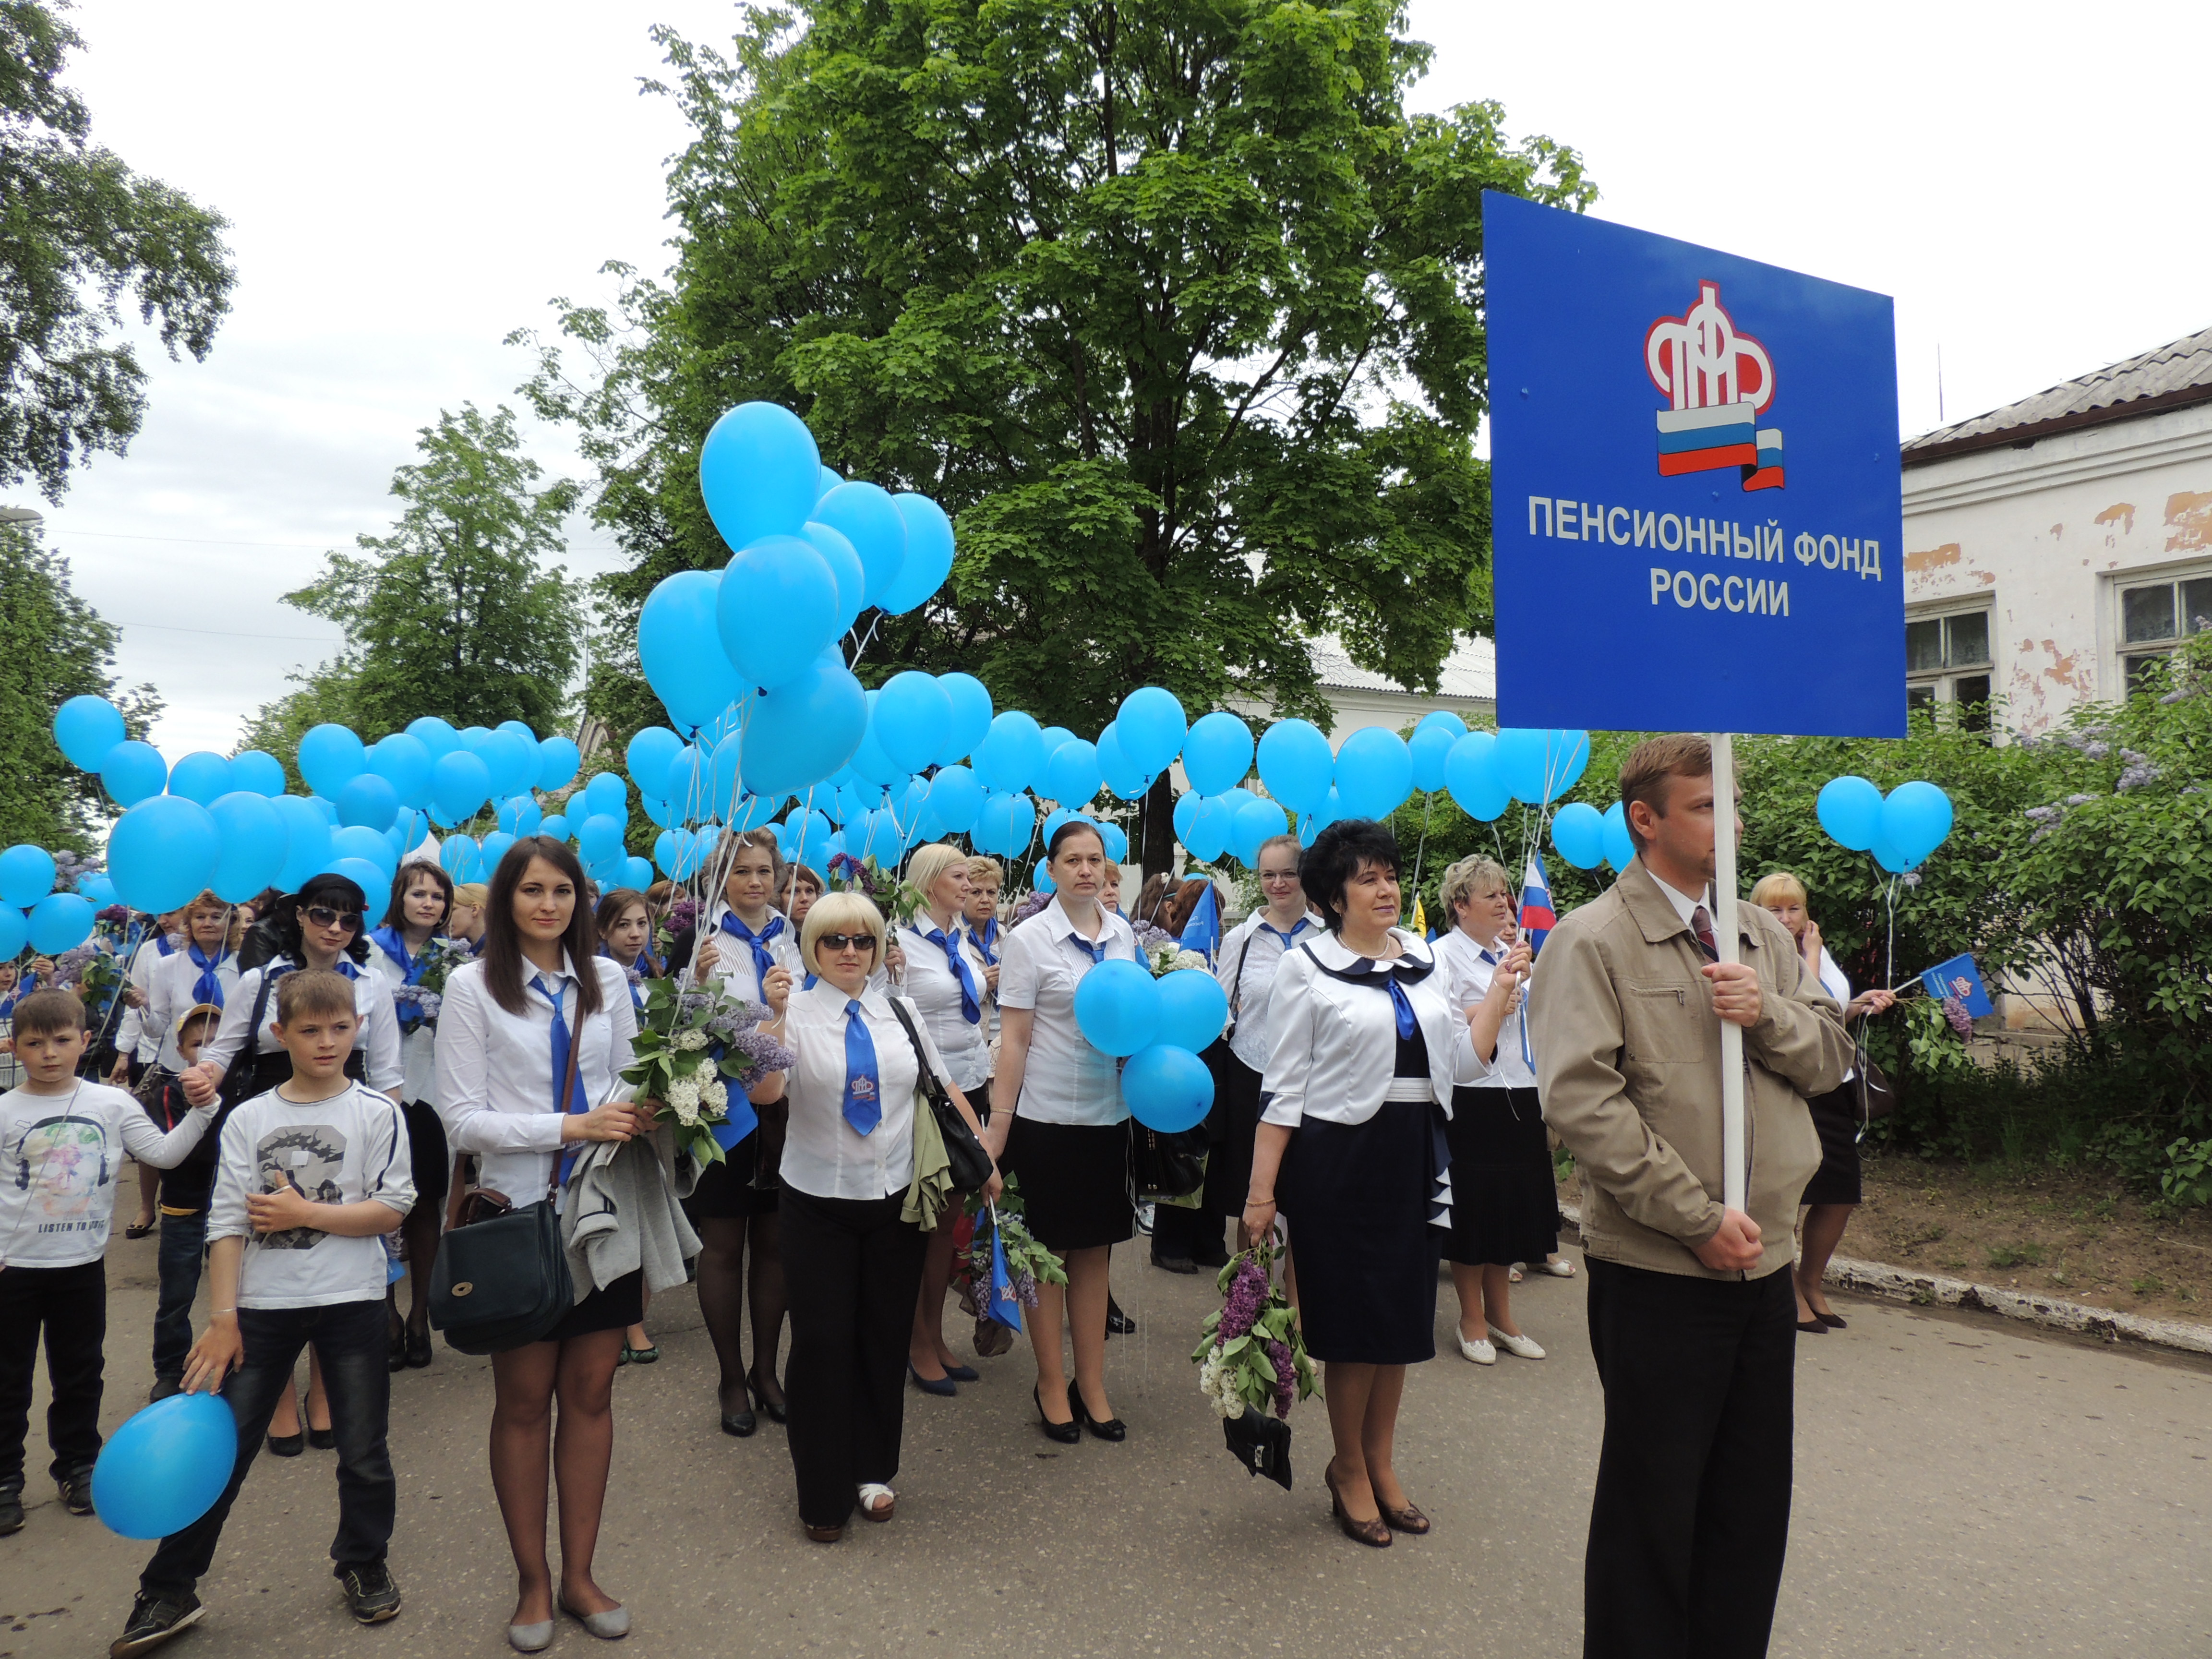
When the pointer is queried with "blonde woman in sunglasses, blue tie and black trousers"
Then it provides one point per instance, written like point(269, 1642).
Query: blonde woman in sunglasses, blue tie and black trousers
point(855, 1266)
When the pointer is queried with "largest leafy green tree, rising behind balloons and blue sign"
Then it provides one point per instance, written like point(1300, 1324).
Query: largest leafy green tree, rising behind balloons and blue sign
point(1173, 306)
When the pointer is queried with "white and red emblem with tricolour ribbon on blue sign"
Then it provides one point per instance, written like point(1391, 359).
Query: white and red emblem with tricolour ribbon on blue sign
point(1718, 382)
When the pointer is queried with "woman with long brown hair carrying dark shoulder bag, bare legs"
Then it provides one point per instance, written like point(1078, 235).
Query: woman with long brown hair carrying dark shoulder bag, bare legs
point(503, 1056)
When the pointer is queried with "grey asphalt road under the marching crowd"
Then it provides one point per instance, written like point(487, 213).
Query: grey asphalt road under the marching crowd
point(1963, 1488)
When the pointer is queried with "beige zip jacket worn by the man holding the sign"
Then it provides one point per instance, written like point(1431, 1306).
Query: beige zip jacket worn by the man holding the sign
point(1627, 1058)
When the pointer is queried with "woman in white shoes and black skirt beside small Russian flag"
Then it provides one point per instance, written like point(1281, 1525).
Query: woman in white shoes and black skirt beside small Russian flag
point(1505, 1200)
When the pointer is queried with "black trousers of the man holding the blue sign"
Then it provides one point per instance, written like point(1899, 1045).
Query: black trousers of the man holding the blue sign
point(1691, 1516)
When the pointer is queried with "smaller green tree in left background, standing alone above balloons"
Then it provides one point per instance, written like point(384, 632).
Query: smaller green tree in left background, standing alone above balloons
point(452, 614)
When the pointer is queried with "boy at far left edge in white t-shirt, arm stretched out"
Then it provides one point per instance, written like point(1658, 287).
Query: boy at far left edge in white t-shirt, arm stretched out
point(63, 1145)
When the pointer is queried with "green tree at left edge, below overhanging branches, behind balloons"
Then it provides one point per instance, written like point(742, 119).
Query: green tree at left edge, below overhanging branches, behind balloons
point(56, 649)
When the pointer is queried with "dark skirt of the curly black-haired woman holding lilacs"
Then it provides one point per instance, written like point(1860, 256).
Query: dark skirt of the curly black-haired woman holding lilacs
point(1359, 1202)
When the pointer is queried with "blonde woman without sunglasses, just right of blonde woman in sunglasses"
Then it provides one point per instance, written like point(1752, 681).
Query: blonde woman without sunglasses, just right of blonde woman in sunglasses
point(948, 981)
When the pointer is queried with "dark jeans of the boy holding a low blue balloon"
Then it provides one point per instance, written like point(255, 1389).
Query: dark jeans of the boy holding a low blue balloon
point(353, 1342)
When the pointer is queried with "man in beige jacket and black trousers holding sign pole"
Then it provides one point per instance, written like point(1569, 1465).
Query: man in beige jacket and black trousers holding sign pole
point(1693, 1317)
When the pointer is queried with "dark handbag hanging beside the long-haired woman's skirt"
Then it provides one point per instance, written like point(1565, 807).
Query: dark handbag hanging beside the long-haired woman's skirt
point(503, 1277)
